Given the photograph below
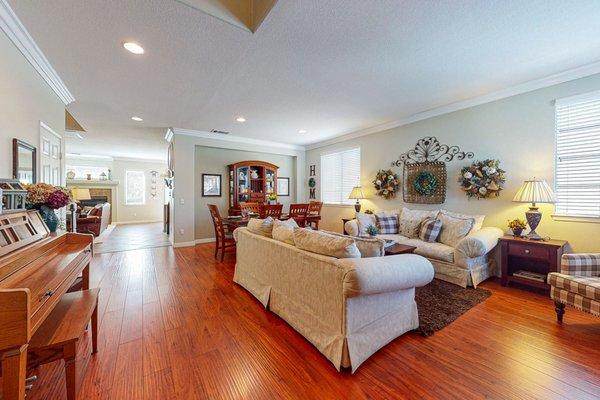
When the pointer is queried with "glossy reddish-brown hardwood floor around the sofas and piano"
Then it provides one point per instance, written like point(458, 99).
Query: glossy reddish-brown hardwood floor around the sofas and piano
point(174, 326)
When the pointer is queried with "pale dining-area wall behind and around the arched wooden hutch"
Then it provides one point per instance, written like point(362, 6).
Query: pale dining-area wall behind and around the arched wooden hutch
point(210, 160)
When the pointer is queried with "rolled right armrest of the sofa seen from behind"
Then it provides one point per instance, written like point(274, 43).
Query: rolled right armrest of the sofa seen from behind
point(385, 274)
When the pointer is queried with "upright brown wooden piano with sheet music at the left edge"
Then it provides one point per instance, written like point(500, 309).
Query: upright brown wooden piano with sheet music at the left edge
point(36, 270)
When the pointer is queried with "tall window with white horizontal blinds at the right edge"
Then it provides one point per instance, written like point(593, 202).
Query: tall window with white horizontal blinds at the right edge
point(578, 156)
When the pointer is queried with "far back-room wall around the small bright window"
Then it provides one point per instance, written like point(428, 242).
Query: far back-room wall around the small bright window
point(121, 212)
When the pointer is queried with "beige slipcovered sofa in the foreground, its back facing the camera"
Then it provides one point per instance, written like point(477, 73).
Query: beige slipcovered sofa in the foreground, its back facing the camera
point(347, 308)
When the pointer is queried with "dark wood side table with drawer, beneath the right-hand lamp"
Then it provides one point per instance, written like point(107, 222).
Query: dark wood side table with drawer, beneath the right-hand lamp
point(521, 257)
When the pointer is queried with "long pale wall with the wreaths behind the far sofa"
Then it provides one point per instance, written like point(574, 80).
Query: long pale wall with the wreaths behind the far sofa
point(519, 131)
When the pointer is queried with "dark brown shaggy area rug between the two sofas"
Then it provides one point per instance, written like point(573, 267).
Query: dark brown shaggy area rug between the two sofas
point(440, 303)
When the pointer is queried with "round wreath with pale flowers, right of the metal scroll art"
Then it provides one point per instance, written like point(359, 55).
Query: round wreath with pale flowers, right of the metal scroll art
point(482, 179)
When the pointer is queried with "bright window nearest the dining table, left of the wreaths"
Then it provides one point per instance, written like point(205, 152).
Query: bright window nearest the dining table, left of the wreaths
point(340, 172)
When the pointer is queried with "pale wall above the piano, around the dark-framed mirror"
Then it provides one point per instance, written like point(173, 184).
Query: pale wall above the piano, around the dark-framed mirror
point(25, 100)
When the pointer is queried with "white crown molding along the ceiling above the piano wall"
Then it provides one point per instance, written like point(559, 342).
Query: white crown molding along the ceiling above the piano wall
point(16, 32)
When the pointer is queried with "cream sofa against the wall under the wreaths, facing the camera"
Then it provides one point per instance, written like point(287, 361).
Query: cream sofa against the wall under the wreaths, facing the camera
point(467, 262)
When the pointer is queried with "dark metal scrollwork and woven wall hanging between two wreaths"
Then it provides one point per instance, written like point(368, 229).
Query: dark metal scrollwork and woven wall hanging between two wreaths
point(424, 170)
